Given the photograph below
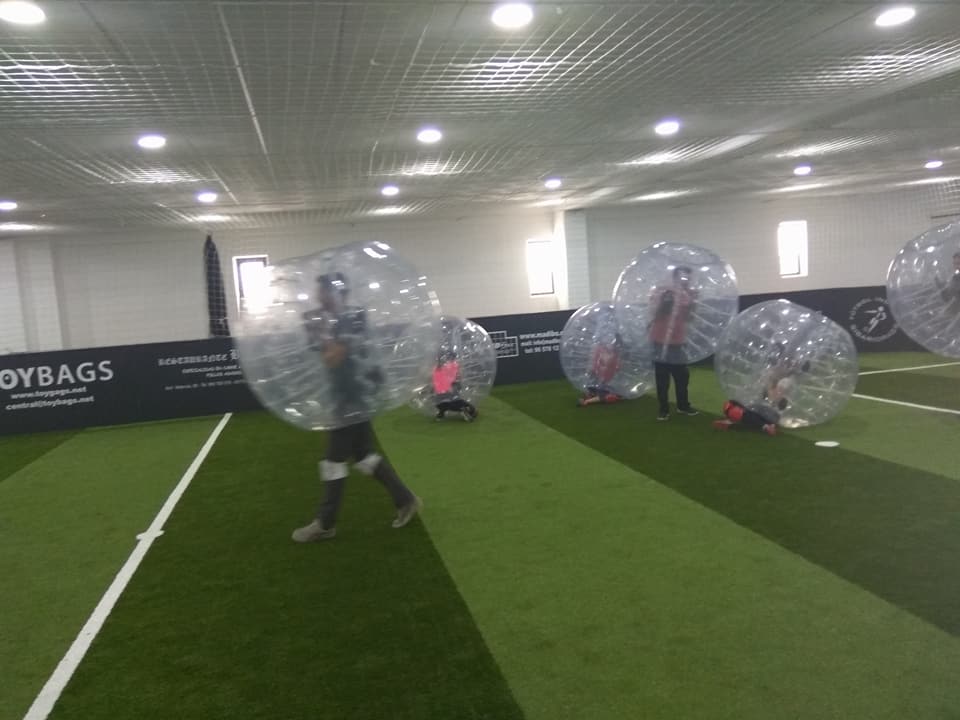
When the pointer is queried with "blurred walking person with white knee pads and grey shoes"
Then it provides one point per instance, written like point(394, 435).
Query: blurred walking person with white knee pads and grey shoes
point(338, 333)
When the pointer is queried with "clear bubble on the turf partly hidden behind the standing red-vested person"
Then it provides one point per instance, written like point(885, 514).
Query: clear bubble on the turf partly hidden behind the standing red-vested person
point(595, 356)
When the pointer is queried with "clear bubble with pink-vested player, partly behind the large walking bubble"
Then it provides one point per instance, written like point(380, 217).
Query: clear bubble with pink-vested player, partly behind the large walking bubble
point(466, 360)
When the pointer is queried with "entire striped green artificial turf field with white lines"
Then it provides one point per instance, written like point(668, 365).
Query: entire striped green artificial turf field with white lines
point(570, 562)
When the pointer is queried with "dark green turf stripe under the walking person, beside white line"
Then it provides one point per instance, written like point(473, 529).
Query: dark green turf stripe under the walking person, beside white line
point(228, 618)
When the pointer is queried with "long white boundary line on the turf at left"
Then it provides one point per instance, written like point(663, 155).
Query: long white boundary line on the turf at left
point(43, 705)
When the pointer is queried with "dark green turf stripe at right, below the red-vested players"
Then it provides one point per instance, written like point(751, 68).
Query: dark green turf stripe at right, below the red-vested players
point(891, 529)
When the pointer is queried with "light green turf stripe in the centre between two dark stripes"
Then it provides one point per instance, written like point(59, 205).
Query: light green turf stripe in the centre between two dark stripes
point(605, 595)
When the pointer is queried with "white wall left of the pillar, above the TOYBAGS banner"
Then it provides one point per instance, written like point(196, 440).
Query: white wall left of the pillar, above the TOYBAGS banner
point(117, 289)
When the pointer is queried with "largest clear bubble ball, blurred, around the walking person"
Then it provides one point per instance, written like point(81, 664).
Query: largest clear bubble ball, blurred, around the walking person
point(335, 338)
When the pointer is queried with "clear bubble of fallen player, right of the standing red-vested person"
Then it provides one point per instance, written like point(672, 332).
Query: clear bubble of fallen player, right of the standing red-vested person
point(790, 364)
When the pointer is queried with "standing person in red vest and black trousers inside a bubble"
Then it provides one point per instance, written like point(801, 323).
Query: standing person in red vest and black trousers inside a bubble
point(668, 331)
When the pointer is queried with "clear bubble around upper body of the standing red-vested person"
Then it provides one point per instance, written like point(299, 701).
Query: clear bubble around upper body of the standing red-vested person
point(678, 297)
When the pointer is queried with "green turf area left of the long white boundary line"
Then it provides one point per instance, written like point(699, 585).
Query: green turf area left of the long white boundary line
point(68, 521)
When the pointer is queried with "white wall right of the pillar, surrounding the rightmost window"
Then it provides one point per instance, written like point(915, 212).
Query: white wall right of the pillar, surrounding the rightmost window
point(851, 239)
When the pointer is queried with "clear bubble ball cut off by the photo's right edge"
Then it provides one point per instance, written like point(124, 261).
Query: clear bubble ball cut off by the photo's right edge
point(923, 289)
